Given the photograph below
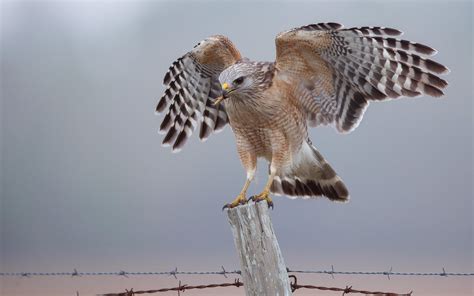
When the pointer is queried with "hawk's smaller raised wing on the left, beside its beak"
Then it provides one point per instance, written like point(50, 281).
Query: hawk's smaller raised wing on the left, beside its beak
point(191, 86)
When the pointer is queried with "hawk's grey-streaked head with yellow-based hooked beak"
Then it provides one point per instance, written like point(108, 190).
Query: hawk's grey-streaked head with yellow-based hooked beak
point(241, 80)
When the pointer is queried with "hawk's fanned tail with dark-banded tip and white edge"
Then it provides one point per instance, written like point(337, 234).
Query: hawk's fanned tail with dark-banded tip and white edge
point(310, 176)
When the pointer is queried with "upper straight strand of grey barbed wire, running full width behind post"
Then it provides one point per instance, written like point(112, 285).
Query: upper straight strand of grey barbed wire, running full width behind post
point(224, 273)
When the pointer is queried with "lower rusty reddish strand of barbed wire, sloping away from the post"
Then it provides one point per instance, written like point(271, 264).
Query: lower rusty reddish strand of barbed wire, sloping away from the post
point(294, 286)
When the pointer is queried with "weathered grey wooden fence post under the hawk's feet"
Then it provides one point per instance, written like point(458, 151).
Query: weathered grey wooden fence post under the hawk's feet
point(262, 265)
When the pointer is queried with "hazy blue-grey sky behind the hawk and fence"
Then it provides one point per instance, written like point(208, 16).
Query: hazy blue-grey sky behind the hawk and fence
point(86, 184)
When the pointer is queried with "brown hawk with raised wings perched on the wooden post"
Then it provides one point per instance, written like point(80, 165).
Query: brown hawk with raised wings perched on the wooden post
point(323, 74)
